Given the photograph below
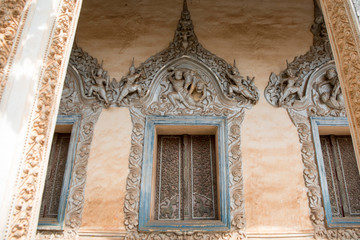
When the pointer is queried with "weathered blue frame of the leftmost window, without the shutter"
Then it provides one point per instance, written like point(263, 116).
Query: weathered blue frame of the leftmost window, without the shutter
point(72, 122)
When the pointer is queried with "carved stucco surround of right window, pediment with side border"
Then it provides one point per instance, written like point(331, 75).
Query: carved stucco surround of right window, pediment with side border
point(310, 87)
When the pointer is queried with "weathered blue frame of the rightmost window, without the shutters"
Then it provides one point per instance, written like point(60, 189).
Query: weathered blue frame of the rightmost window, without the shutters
point(331, 126)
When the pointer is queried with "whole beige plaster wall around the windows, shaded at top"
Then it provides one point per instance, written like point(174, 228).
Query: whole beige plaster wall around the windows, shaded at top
point(260, 35)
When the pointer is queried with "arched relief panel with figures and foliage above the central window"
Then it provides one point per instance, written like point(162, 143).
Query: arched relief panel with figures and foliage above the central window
point(186, 87)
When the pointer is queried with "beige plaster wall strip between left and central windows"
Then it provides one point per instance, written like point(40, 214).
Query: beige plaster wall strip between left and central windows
point(107, 171)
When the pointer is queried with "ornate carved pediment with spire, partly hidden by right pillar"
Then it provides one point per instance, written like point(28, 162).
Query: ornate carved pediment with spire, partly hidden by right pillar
point(310, 81)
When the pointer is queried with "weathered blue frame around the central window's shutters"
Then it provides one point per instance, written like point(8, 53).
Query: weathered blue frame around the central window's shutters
point(153, 124)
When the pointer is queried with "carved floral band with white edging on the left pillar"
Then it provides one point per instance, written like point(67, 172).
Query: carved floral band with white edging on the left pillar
point(22, 222)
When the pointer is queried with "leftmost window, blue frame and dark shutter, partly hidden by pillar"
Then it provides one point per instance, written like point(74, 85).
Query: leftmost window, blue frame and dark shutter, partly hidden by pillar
point(57, 182)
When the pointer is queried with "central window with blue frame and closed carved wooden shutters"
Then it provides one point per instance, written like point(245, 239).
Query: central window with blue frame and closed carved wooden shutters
point(184, 184)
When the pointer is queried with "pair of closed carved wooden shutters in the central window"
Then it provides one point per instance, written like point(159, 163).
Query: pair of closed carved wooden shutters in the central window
point(186, 178)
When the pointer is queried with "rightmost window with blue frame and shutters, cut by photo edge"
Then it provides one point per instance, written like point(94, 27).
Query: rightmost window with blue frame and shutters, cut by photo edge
point(338, 171)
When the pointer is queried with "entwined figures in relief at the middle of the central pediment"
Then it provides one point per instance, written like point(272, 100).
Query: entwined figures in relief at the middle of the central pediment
point(189, 88)
